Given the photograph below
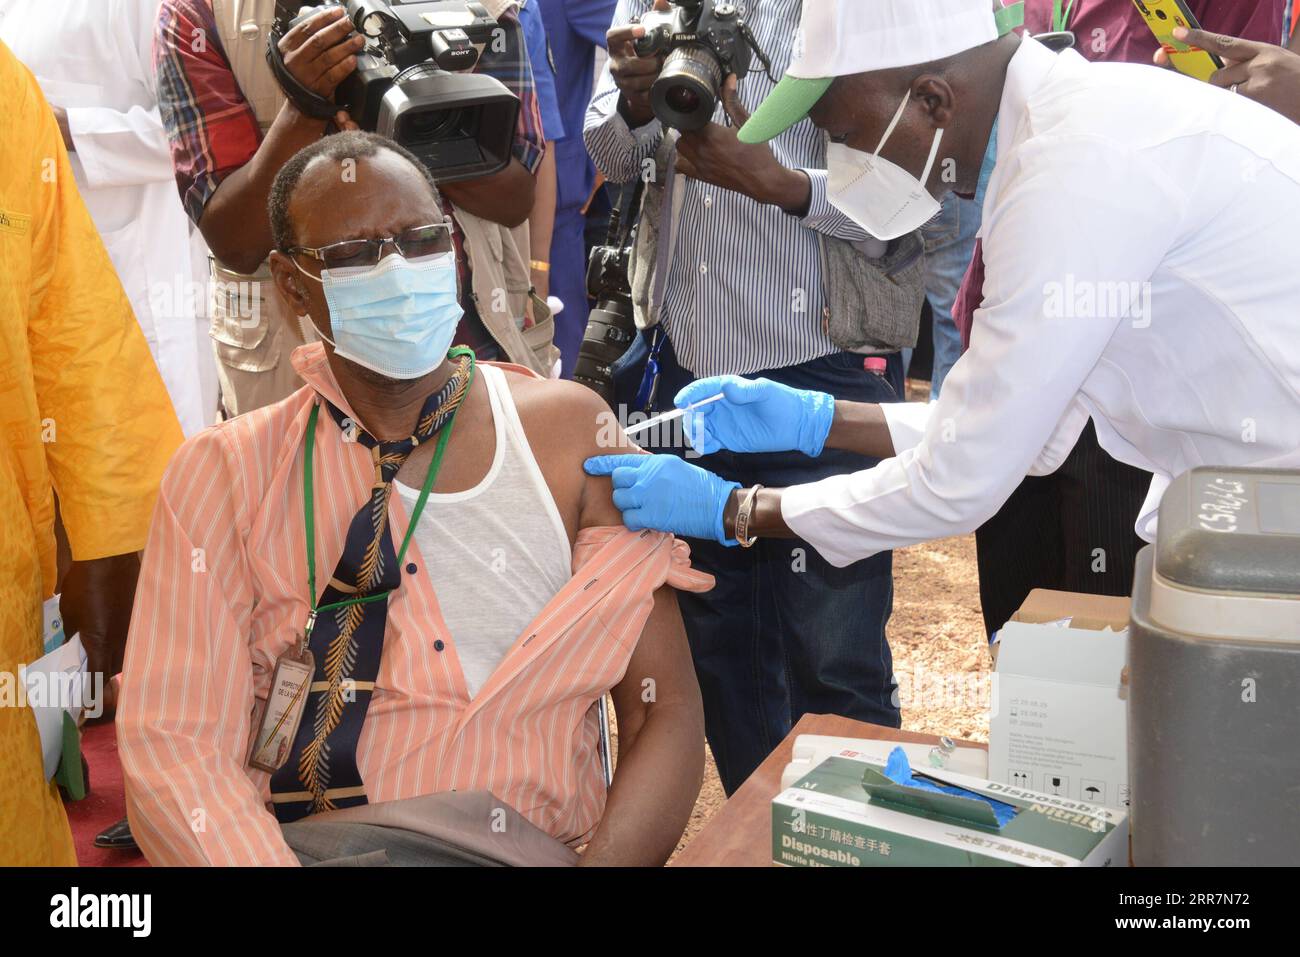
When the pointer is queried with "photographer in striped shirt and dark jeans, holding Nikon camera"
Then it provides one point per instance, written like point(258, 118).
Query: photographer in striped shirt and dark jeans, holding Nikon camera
point(785, 633)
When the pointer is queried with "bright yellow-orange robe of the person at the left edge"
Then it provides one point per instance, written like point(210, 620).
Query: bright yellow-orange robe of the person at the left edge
point(83, 412)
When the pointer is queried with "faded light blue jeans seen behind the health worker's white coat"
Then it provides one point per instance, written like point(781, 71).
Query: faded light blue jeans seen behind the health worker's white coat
point(950, 246)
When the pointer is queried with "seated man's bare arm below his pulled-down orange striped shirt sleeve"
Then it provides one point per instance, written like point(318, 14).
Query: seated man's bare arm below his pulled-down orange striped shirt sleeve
point(661, 748)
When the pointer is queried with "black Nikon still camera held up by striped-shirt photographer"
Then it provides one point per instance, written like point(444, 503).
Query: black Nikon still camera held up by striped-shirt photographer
point(703, 41)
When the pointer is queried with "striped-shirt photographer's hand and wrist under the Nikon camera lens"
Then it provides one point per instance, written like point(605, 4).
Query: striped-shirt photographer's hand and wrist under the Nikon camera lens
point(716, 155)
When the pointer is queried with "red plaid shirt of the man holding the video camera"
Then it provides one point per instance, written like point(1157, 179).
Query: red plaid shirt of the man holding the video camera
point(213, 128)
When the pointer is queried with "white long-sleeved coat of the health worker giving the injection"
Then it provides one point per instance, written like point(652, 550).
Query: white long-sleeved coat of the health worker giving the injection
point(1107, 175)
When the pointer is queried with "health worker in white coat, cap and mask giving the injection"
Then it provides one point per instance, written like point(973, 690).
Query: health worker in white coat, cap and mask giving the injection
point(1139, 269)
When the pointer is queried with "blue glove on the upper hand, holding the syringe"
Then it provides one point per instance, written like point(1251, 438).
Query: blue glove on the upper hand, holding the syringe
point(757, 415)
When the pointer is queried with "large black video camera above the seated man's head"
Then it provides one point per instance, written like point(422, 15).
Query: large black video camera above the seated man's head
point(410, 84)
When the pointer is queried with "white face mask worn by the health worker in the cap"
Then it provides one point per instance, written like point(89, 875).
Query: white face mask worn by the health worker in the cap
point(879, 196)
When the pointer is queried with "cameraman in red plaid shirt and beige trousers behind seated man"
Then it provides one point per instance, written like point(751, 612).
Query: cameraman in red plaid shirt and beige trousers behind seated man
point(232, 129)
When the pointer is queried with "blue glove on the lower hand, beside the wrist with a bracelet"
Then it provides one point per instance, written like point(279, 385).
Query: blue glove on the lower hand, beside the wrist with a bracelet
point(668, 495)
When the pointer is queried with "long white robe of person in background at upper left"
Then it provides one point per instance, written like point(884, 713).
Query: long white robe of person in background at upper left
point(94, 59)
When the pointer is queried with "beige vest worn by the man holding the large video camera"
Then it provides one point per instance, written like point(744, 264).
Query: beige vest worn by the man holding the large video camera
point(499, 257)
